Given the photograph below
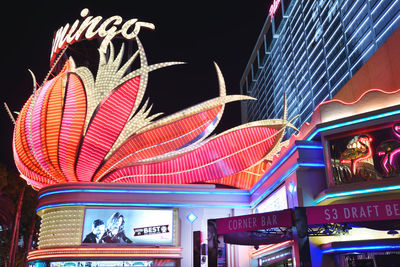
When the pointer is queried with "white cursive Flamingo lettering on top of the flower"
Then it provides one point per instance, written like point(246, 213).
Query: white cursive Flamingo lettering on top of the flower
point(86, 29)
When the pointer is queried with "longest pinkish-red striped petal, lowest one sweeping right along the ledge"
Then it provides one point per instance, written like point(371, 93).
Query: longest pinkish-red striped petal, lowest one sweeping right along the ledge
point(222, 156)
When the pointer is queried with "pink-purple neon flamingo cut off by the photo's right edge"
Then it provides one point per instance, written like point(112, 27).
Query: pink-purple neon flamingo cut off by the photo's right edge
point(387, 150)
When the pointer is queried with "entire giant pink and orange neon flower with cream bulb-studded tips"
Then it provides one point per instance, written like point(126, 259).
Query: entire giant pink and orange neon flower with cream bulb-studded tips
point(78, 127)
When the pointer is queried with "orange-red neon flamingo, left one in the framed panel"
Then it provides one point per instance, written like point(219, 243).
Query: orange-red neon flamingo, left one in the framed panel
point(357, 150)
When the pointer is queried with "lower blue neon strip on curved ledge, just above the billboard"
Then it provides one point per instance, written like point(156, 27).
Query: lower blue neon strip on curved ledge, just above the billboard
point(111, 204)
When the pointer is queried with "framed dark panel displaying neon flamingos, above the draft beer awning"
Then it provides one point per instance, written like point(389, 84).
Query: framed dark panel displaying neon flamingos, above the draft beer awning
point(366, 154)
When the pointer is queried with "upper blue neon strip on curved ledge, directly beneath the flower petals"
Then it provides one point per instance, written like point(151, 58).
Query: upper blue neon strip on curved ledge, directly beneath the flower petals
point(140, 192)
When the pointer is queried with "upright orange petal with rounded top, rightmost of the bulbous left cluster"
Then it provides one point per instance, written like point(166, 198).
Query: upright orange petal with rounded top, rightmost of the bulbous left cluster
point(72, 125)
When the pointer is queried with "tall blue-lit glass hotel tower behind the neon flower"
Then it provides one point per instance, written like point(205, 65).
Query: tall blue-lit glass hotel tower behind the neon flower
point(308, 50)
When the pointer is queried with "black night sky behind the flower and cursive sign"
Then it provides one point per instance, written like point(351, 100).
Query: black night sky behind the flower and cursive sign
point(197, 32)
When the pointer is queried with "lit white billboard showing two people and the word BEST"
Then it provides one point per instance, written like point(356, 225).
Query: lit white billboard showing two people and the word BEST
point(128, 226)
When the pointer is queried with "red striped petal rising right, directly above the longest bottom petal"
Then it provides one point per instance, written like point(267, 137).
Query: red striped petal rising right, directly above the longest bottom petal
point(160, 140)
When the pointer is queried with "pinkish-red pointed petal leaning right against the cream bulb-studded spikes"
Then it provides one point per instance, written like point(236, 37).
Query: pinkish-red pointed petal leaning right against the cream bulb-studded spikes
point(105, 126)
